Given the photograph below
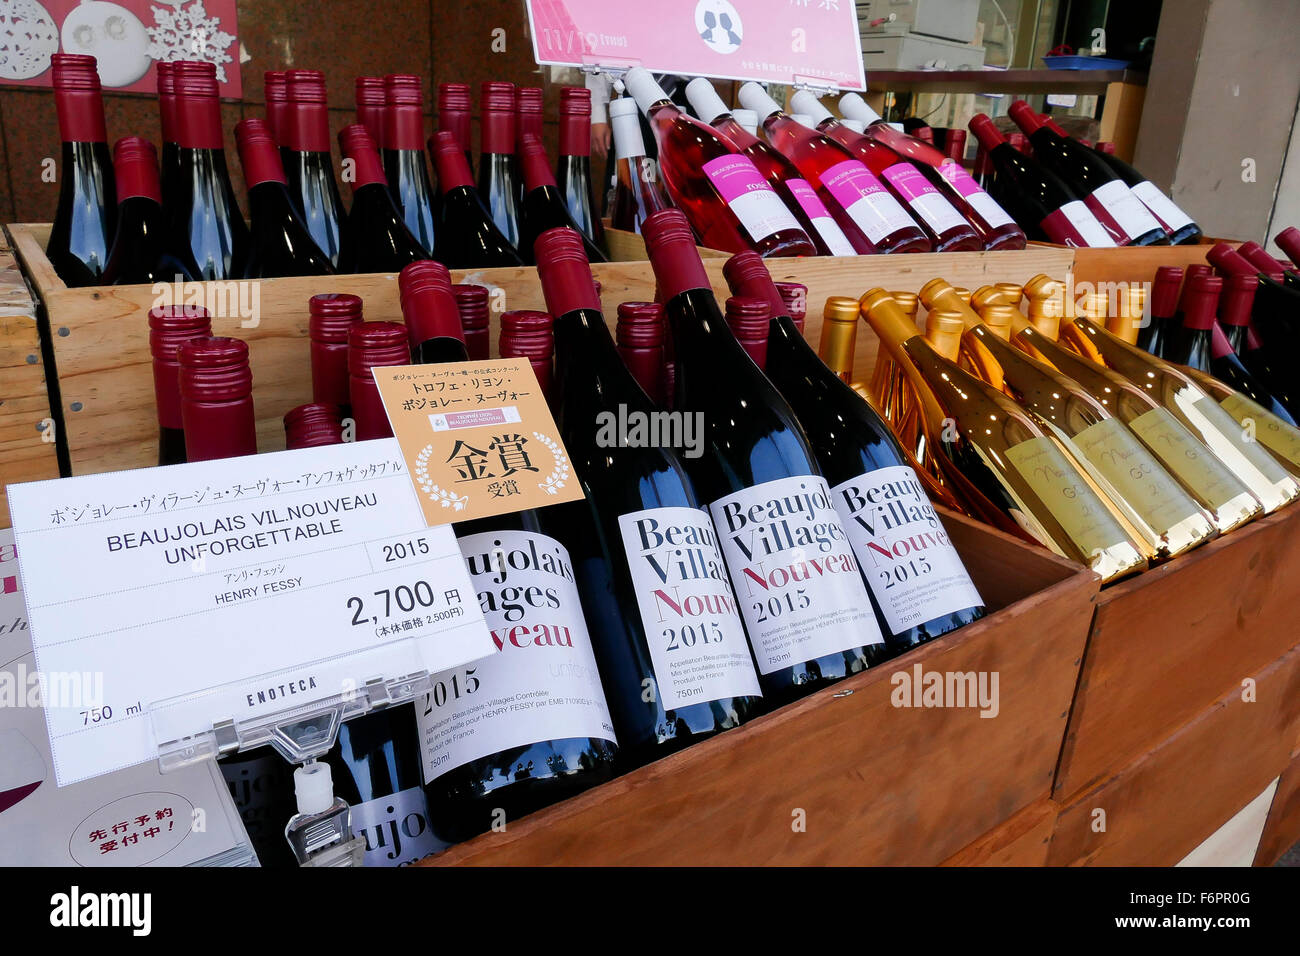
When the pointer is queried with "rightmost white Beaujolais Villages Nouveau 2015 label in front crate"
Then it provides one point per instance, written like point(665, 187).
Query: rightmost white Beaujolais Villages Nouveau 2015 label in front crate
point(909, 563)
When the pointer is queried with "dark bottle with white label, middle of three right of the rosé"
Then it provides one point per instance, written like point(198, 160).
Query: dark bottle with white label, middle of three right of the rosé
point(1121, 214)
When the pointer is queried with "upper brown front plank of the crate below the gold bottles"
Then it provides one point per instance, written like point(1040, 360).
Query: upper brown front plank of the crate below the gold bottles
point(1171, 642)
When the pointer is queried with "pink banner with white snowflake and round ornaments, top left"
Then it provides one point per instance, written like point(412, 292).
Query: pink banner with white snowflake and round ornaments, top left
point(125, 37)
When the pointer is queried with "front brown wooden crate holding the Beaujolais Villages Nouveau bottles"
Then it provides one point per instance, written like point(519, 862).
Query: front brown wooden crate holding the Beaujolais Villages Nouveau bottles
point(877, 784)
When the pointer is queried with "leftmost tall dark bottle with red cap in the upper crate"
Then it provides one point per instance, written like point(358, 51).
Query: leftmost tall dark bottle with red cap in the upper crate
point(86, 218)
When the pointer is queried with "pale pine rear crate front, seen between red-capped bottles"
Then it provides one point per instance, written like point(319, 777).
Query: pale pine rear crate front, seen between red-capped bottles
point(101, 343)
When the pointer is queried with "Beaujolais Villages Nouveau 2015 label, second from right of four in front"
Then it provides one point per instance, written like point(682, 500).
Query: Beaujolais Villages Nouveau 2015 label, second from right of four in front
point(794, 569)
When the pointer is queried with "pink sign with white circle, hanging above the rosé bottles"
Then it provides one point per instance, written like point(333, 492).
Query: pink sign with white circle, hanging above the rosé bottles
point(814, 42)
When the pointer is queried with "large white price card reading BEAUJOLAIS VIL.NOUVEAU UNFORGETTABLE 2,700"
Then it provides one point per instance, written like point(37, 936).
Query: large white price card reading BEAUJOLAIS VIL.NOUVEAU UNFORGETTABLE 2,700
point(239, 590)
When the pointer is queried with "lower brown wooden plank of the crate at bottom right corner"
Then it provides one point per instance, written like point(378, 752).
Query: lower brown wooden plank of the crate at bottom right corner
point(1162, 806)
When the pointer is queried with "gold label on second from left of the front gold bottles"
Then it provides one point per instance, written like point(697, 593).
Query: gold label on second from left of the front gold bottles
point(1134, 471)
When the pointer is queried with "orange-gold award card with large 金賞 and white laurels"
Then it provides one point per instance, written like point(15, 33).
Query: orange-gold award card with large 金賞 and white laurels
point(478, 438)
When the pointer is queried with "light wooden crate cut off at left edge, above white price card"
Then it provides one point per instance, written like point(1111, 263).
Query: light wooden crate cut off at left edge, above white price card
point(28, 431)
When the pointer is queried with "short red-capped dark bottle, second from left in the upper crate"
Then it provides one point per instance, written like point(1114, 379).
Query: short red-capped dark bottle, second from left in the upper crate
point(142, 250)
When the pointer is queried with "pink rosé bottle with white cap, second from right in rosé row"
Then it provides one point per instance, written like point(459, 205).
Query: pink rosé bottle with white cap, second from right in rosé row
point(913, 185)
